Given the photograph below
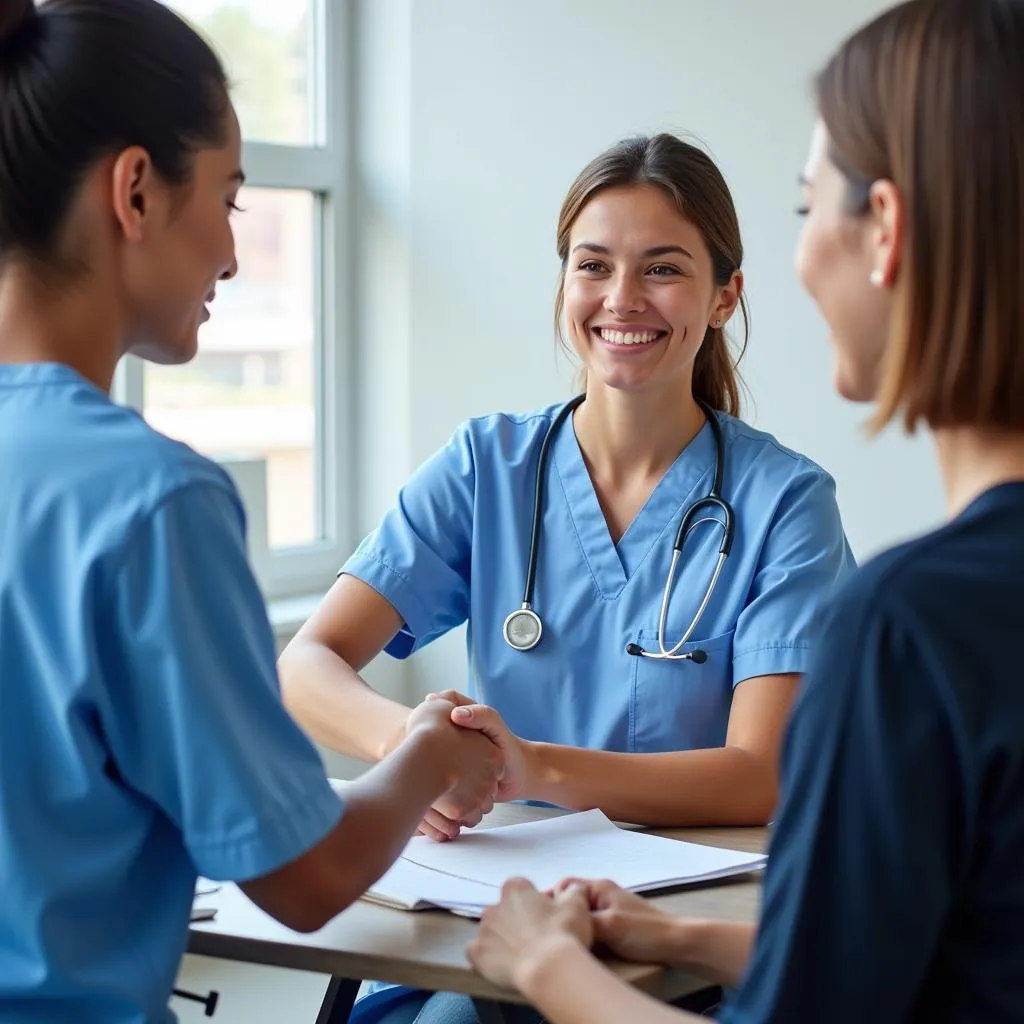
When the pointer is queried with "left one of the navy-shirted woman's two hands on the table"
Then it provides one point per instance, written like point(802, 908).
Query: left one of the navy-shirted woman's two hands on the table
point(526, 927)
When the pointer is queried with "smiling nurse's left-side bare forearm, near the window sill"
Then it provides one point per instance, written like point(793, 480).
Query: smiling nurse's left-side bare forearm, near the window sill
point(335, 707)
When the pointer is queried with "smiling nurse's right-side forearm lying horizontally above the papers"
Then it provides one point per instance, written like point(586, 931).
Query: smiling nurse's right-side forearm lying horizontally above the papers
point(721, 787)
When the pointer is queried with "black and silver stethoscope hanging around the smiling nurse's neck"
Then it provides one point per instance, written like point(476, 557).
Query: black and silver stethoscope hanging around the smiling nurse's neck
point(523, 629)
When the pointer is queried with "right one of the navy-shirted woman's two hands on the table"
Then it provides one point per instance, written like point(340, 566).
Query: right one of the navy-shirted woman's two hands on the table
point(628, 925)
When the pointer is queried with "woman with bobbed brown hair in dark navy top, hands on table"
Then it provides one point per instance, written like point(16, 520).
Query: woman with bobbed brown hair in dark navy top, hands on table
point(895, 883)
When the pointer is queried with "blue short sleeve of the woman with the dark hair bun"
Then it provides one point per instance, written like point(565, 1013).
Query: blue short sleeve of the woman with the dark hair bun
point(224, 761)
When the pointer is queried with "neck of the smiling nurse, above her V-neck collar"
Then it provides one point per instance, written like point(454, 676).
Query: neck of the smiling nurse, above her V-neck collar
point(627, 437)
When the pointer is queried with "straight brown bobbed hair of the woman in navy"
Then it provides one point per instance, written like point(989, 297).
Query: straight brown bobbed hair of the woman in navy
point(928, 97)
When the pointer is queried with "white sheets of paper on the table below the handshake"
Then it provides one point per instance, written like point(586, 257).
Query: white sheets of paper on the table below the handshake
point(466, 876)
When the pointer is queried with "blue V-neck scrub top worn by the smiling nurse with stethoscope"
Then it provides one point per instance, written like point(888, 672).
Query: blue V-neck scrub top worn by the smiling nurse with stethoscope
point(455, 548)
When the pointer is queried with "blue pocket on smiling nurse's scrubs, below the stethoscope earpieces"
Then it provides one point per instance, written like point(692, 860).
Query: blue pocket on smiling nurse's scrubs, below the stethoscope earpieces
point(679, 706)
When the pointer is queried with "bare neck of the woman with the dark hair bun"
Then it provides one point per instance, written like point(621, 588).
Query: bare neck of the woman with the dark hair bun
point(73, 325)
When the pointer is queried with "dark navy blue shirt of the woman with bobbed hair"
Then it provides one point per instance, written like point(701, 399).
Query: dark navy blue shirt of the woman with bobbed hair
point(895, 884)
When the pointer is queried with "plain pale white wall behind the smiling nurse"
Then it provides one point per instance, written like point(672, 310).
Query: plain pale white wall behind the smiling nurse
point(475, 116)
